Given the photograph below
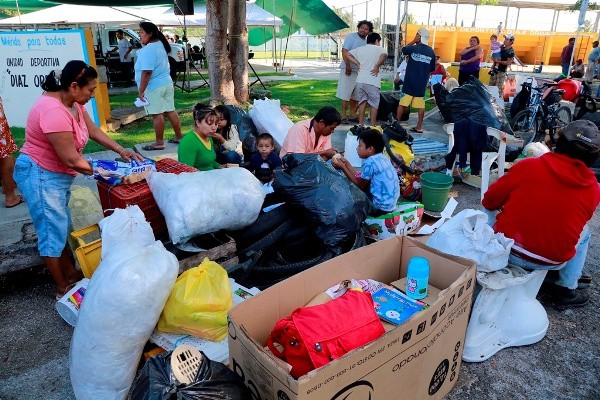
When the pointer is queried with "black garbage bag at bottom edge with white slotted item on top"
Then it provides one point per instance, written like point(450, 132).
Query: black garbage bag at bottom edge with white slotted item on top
point(213, 381)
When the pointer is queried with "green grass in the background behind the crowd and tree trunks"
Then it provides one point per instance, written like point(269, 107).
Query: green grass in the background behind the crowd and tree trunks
point(302, 99)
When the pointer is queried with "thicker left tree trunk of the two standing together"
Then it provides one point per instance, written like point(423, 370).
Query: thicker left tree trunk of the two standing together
point(219, 66)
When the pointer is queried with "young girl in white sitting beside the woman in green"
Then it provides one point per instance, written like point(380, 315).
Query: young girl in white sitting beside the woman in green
point(227, 140)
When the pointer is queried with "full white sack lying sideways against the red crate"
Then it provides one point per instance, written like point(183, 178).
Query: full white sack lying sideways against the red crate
point(194, 203)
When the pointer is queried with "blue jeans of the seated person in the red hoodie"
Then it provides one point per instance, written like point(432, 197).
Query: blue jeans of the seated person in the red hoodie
point(569, 272)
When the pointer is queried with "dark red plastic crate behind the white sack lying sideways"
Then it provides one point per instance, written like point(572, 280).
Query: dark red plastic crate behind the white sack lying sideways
point(120, 196)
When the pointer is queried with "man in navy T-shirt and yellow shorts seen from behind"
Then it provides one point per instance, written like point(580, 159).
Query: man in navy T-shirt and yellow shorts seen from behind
point(421, 62)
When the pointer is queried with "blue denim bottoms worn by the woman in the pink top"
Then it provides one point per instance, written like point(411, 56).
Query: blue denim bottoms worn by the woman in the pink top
point(47, 196)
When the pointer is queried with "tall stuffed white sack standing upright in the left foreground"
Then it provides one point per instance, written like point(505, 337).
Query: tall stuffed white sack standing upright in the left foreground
point(121, 307)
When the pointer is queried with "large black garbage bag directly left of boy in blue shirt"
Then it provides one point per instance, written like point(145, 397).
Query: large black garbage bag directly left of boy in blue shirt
point(335, 204)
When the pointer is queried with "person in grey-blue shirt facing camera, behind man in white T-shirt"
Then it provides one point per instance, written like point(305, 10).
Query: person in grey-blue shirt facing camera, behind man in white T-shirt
point(349, 71)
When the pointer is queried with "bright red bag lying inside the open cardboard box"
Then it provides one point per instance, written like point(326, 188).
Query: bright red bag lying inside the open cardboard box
point(313, 336)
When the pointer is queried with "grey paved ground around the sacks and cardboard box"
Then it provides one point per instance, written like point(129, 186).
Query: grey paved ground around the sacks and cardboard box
point(34, 341)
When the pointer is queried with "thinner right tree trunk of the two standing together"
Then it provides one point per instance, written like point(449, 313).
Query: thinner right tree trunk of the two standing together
point(238, 49)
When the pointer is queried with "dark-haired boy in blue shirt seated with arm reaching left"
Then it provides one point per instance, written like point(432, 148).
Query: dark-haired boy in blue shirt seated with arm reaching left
point(378, 177)
